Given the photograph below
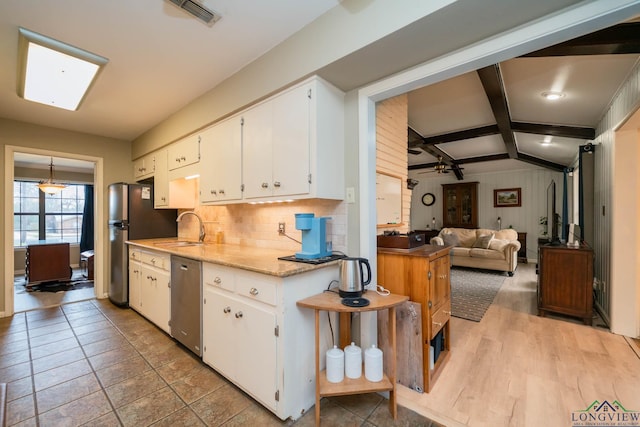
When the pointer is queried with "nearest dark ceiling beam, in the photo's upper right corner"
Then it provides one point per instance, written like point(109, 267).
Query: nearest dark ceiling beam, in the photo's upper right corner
point(619, 39)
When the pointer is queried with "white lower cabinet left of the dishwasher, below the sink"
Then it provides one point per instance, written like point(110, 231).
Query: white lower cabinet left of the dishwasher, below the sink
point(150, 286)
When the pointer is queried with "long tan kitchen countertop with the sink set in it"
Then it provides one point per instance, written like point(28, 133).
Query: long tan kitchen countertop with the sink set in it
point(259, 260)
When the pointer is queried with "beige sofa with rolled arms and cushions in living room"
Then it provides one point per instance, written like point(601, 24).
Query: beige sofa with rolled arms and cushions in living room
point(481, 247)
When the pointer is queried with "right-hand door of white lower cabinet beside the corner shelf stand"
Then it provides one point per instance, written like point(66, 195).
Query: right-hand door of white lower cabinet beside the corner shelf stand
point(254, 329)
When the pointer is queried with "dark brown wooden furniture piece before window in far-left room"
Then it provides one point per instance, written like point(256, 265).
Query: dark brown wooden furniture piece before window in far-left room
point(45, 262)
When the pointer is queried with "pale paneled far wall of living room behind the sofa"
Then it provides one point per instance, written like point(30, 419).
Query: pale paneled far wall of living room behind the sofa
point(532, 182)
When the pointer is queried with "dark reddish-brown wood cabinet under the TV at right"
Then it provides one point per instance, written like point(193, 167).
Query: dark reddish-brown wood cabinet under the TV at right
point(565, 282)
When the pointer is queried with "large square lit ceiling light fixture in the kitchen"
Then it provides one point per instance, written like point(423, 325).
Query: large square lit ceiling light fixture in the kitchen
point(54, 73)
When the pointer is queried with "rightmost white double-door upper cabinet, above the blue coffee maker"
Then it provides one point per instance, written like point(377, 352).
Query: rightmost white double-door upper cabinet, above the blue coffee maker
point(293, 144)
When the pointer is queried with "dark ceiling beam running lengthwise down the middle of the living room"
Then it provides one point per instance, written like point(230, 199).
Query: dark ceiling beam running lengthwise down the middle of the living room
point(492, 82)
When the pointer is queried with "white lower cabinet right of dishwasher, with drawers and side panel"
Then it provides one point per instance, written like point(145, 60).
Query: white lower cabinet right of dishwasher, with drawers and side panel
point(255, 335)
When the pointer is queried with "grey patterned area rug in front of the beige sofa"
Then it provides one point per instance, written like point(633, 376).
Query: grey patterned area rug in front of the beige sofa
point(473, 291)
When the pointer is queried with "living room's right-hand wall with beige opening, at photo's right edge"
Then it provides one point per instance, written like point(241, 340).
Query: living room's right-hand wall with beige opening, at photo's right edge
point(615, 292)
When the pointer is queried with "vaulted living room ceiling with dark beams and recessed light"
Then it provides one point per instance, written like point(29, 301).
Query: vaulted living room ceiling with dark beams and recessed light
point(497, 118)
